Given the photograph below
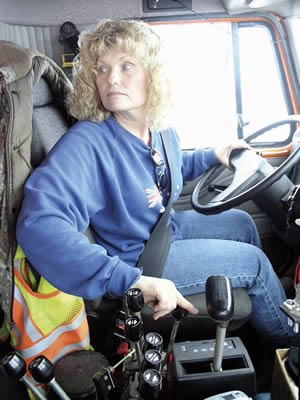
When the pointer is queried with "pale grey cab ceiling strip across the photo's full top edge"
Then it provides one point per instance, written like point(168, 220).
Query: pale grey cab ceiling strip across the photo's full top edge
point(55, 12)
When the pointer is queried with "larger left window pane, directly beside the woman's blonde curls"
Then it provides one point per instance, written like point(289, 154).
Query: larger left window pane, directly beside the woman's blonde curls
point(200, 56)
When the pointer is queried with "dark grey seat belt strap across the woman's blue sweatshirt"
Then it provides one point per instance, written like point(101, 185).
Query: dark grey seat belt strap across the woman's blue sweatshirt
point(154, 256)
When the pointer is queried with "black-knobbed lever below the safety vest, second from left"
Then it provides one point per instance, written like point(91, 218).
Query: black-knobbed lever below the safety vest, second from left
point(42, 371)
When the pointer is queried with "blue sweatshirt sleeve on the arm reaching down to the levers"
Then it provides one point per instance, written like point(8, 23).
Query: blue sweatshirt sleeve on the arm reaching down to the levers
point(59, 198)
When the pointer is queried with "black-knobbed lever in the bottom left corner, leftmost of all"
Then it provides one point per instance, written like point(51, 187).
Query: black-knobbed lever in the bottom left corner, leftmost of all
point(15, 366)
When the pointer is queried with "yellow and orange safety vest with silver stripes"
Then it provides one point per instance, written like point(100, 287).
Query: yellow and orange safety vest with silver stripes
point(40, 327)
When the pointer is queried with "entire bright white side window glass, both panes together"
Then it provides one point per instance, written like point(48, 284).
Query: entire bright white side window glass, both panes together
point(202, 66)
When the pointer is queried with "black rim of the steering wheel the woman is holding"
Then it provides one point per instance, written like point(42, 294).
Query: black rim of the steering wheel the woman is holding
point(214, 207)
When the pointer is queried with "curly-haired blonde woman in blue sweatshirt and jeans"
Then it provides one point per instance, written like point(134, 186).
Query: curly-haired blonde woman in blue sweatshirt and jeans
point(102, 173)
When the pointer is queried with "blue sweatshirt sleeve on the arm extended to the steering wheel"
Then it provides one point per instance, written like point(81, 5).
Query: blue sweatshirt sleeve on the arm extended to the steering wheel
point(194, 163)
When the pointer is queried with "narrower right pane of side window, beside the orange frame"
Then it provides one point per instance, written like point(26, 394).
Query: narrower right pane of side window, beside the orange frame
point(262, 96)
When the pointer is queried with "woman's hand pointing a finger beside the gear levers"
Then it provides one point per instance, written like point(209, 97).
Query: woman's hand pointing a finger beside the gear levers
point(162, 296)
